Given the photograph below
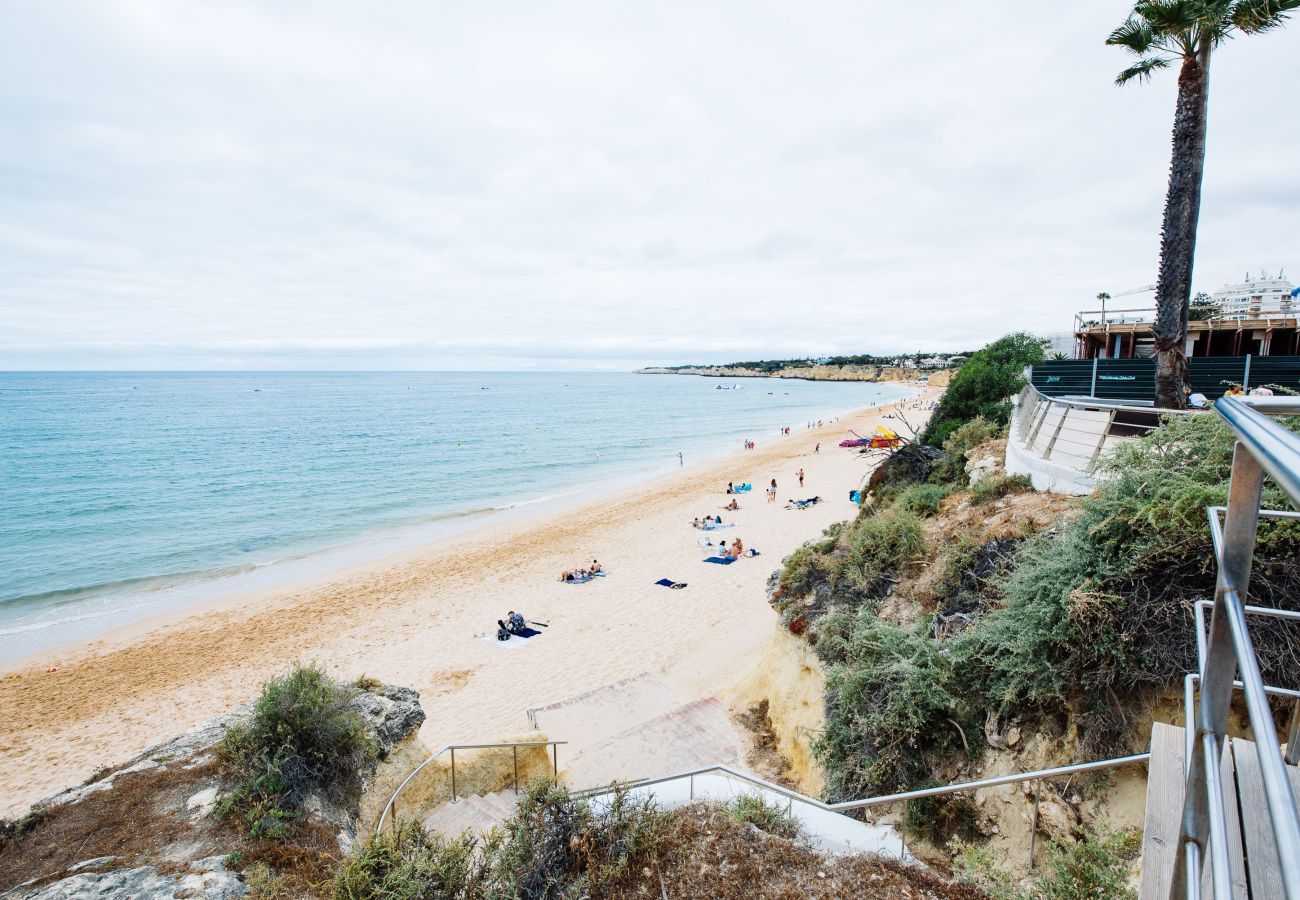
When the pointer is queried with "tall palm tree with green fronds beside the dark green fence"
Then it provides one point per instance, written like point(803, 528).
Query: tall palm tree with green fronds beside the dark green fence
point(1159, 33)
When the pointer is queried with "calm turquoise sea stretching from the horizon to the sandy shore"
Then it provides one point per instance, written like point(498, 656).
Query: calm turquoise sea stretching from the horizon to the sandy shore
point(125, 494)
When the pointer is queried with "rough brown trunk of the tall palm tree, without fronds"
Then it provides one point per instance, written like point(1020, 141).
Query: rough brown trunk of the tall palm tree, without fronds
point(1178, 237)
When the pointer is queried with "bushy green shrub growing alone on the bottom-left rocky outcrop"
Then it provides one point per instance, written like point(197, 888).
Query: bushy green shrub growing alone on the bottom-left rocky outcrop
point(304, 735)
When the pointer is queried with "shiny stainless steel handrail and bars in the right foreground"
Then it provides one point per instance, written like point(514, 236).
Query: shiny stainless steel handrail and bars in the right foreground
point(1225, 651)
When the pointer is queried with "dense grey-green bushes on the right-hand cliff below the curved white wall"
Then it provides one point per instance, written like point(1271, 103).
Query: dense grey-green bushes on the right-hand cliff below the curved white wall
point(1089, 620)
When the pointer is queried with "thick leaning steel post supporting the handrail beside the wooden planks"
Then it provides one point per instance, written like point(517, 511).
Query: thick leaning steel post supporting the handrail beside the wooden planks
point(1203, 814)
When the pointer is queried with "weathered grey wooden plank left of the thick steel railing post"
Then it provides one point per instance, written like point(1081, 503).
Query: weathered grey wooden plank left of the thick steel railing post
point(1165, 786)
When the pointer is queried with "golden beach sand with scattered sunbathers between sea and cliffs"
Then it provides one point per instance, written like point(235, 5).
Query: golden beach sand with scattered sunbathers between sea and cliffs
point(419, 620)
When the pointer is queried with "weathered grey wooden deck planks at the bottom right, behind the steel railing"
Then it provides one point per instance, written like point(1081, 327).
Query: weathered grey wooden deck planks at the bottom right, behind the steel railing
point(1255, 866)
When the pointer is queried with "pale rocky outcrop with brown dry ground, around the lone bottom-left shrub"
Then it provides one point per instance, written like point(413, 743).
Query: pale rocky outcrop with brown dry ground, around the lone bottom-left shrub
point(145, 829)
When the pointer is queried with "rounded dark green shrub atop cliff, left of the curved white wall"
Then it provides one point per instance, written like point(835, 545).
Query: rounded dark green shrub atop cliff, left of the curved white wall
point(985, 386)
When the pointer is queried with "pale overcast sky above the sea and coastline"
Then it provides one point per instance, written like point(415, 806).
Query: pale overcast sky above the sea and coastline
point(599, 185)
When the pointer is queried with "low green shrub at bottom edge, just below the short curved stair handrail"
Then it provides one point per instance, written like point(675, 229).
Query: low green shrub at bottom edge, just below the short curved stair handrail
point(409, 864)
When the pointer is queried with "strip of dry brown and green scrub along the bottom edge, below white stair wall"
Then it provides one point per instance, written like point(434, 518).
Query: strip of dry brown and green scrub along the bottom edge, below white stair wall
point(558, 845)
